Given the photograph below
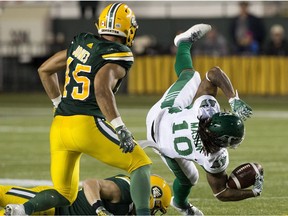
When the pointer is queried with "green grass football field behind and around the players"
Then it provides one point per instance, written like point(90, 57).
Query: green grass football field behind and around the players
point(24, 139)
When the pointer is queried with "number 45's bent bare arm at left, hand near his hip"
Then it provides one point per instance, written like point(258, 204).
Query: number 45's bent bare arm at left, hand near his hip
point(48, 75)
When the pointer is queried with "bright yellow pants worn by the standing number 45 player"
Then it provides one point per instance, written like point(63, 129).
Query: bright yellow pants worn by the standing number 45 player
point(70, 136)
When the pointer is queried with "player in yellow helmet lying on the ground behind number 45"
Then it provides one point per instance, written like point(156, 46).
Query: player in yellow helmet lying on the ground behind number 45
point(112, 196)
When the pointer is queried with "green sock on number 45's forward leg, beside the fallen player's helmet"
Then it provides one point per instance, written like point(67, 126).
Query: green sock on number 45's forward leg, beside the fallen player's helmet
point(140, 189)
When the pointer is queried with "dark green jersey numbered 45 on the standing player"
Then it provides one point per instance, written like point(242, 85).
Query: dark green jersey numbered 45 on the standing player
point(85, 56)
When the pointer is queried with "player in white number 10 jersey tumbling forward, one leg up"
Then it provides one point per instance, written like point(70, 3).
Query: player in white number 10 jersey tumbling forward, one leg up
point(186, 125)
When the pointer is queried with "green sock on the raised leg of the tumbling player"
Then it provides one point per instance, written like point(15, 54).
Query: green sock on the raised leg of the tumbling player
point(183, 58)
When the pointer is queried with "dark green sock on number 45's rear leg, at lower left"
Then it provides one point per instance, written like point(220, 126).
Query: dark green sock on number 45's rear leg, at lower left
point(45, 200)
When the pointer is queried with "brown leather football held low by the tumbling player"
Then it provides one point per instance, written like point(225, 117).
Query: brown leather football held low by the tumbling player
point(244, 175)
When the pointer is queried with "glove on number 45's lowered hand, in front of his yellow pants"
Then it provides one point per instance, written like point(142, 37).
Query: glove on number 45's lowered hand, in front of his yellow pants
point(126, 139)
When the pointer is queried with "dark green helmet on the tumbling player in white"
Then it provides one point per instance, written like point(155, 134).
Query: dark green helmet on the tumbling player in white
point(225, 129)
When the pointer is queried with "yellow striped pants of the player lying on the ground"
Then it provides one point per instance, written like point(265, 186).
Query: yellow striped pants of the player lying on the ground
point(20, 195)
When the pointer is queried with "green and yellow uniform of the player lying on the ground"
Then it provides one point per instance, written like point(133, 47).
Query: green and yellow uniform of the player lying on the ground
point(81, 206)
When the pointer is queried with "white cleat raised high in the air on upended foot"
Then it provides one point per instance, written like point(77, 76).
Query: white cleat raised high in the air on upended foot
point(193, 34)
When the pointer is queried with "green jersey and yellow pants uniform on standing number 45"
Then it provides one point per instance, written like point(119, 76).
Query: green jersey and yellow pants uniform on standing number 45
point(79, 126)
